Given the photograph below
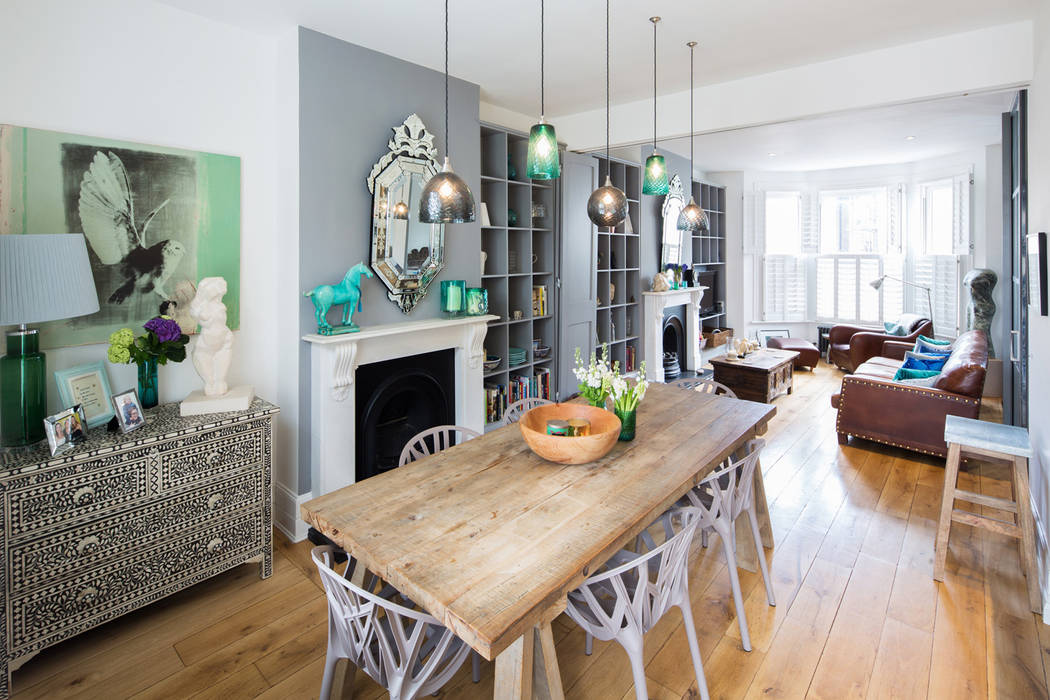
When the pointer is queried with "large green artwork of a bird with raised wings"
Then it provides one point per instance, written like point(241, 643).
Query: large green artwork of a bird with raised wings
point(155, 219)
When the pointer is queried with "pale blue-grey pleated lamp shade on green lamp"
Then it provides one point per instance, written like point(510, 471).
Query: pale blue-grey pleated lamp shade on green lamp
point(46, 278)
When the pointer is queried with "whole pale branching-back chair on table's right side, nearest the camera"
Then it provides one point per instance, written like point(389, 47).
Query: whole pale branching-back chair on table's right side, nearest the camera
point(627, 600)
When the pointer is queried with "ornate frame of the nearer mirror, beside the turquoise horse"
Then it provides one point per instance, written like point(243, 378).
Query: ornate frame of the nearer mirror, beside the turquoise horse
point(411, 154)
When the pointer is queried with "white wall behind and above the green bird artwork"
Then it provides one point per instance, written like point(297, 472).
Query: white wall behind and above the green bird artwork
point(142, 72)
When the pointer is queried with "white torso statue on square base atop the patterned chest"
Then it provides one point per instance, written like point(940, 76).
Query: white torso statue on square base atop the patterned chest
point(213, 355)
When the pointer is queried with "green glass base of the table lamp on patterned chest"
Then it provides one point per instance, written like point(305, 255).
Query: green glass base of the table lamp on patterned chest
point(24, 391)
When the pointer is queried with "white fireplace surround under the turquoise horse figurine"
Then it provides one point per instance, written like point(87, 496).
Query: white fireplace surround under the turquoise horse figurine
point(335, 360)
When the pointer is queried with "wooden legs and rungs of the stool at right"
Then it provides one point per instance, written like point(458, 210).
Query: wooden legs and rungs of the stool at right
point(1024, 531)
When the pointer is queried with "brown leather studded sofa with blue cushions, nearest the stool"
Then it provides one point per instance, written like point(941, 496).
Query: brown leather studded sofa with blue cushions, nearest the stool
point(874, 408)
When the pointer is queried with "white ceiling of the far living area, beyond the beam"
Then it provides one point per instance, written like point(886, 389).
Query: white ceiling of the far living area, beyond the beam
point(870, 137)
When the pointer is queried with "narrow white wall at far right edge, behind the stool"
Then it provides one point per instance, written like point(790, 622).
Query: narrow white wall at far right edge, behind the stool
point(1039, 338)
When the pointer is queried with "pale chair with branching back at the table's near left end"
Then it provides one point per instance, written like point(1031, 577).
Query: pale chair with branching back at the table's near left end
point(406, 651)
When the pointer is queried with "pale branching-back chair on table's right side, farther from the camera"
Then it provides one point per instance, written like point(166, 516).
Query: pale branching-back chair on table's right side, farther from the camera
point(722, 498)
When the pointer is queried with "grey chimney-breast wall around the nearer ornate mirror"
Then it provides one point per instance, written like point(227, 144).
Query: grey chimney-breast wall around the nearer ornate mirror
point(350, 99)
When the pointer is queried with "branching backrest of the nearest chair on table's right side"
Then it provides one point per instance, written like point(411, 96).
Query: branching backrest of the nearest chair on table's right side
point(639, 591)
